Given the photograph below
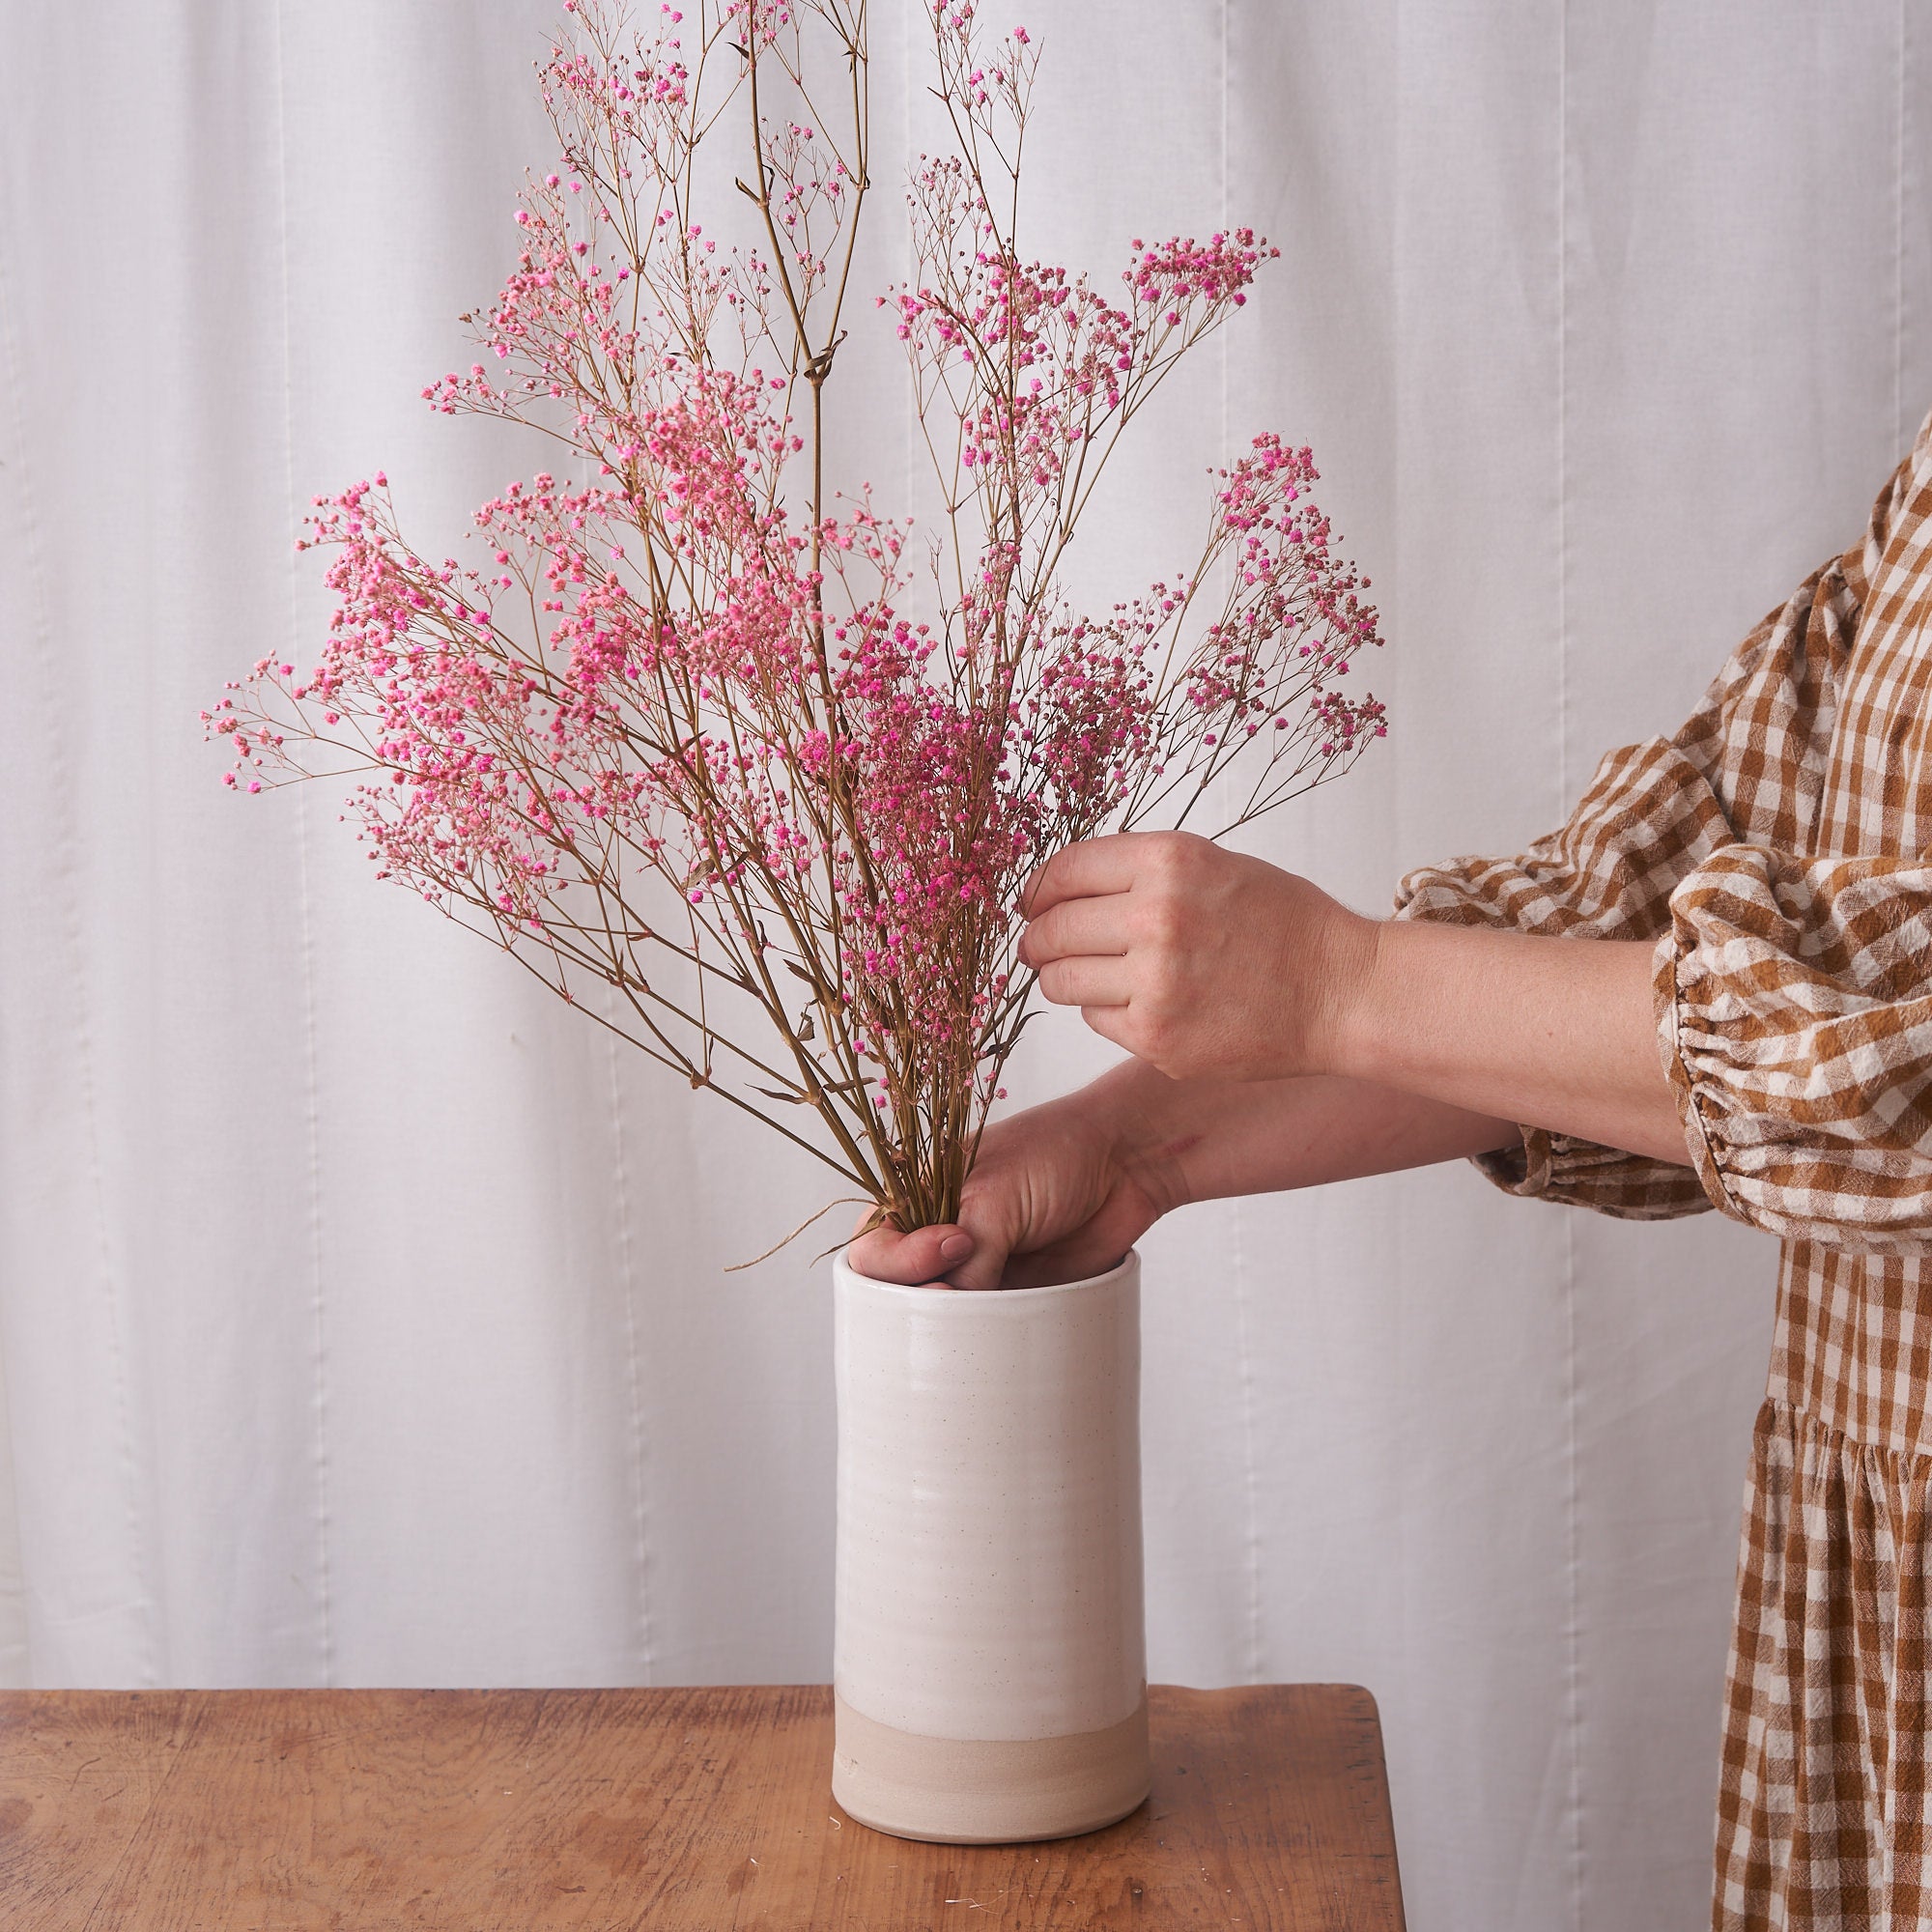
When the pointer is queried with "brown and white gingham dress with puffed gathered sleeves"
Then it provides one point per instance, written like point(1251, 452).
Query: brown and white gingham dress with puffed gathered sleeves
point(1780, 853)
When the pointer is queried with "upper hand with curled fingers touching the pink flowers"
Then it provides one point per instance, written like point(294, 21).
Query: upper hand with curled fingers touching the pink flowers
point(1201, 963)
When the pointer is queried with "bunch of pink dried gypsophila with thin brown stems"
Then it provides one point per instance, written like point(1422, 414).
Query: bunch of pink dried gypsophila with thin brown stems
point(700, 739)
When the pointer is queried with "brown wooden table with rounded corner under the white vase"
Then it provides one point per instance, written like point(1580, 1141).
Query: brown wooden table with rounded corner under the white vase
point(525, 1811)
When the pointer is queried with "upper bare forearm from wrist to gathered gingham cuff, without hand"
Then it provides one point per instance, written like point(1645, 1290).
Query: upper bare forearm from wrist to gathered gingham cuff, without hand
point(1550, 1033)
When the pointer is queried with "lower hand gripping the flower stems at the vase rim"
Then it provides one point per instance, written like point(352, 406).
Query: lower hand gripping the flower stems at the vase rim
point(1060, 1193)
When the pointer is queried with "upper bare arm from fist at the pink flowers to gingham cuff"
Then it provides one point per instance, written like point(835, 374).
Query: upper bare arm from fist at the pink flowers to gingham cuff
point(1220, 969)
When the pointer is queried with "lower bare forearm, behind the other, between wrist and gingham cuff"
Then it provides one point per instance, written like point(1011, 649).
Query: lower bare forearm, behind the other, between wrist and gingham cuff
point(1193, 1141)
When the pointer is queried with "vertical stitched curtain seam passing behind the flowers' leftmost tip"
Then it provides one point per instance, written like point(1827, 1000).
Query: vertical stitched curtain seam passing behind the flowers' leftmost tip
point(306, 928)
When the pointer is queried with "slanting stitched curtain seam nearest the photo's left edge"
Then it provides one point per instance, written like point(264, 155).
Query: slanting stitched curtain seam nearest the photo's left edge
point(63, 851)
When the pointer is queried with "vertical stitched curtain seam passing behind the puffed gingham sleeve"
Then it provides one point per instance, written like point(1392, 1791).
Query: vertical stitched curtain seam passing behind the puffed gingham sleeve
point(1572, 1365)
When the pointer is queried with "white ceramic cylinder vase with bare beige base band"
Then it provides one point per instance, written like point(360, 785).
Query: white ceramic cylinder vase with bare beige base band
point(990, 1657)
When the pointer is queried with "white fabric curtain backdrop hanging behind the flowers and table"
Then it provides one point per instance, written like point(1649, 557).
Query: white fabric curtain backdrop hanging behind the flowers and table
point(364, 1317)
